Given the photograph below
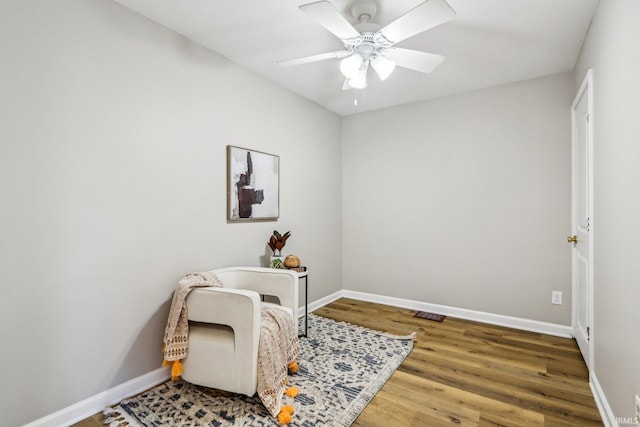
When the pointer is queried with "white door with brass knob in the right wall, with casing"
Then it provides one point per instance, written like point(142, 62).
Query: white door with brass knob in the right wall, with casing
point(582, 218)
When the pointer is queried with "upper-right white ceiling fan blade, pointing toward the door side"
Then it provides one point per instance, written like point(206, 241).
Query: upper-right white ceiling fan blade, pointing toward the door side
point(423, 17)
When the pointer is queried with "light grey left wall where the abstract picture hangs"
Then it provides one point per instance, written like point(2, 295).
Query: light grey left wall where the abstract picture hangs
point(112, 183)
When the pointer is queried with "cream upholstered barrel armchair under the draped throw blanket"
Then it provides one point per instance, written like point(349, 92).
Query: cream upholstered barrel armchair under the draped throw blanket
point(224, 326)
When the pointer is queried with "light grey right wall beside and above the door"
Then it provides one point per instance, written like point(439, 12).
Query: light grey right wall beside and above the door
point(611, 49)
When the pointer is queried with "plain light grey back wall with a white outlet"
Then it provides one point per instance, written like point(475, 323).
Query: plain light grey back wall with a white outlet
point(463, 201)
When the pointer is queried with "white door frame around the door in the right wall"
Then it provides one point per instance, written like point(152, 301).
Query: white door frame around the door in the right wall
point(586, 88)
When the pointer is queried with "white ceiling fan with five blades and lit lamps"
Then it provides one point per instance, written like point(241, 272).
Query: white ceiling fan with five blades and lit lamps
point(369, 44)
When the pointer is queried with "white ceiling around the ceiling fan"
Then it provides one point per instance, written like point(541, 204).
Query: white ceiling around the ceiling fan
point(488, 43)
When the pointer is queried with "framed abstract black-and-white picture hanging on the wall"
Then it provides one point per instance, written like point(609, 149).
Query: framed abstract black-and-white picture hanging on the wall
point(253, 185)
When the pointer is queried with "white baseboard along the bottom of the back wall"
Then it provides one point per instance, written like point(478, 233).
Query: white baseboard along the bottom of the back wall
point(478, 316)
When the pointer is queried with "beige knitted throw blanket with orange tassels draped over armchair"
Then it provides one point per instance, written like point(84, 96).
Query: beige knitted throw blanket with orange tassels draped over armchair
point(278, 345)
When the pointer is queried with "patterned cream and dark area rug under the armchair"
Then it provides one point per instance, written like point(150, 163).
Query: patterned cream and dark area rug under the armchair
point(341, 368)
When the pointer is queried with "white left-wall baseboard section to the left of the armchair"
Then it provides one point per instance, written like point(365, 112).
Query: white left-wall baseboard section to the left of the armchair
point(94, 404)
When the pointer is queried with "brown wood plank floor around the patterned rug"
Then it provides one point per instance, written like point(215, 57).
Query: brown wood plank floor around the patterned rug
point(470, 374)
